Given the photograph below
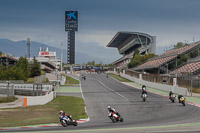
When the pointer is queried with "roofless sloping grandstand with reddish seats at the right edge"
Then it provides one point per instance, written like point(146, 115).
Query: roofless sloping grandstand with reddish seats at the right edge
point(171, 60)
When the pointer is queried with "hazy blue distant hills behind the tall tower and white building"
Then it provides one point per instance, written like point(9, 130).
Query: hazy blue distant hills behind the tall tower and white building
point(88, 53)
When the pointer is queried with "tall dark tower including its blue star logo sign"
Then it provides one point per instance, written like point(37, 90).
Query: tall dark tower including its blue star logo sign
point(71, 25)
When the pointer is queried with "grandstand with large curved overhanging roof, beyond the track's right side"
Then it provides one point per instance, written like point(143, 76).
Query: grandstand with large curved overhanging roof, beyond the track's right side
point(128, 42)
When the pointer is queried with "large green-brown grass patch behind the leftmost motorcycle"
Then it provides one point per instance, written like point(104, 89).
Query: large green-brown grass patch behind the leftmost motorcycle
point(43, 114)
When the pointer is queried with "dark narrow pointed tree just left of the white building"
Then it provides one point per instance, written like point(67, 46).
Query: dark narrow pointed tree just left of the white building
point(35, 68)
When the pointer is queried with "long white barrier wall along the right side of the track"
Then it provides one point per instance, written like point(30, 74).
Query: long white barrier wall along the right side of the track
point(175, 89)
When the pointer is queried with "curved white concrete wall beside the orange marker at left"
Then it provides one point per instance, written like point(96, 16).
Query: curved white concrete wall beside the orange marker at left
point(39, 100)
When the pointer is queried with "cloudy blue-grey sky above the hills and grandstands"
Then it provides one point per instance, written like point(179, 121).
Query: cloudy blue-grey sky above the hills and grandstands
point(170, 21)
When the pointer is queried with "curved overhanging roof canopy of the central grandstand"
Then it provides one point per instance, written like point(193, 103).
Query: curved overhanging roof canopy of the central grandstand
point(122, 36)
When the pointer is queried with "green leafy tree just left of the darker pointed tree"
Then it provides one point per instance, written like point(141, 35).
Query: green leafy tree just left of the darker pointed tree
point(23, 64)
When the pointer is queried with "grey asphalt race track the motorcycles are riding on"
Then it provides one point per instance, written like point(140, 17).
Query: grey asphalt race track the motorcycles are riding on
point(99, 92)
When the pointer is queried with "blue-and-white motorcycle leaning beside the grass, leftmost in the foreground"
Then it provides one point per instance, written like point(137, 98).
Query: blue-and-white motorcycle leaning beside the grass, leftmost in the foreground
point(67, 120)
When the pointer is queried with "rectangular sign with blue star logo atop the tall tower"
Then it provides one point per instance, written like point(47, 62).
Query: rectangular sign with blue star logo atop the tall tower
point(71, 20)
